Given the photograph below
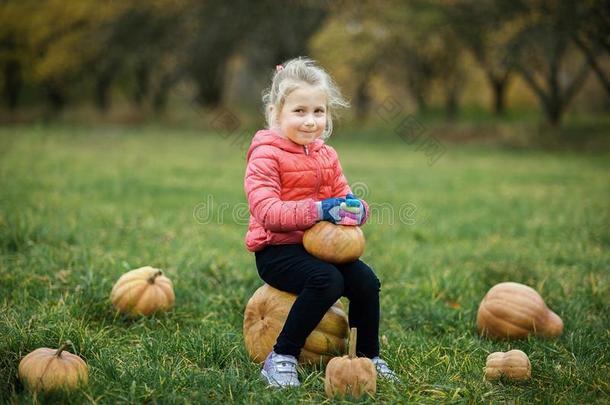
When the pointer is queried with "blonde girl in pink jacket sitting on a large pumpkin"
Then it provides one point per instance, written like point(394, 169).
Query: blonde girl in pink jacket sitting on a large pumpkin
point(293, 180)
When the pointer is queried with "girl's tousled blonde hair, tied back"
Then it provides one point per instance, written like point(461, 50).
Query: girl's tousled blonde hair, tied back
point(294, 73)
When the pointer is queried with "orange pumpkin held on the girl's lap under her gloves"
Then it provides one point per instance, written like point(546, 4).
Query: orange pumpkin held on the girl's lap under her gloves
point(334, 243)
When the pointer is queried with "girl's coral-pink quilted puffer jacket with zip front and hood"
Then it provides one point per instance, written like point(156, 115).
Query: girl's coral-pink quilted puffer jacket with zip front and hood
point(283, 181)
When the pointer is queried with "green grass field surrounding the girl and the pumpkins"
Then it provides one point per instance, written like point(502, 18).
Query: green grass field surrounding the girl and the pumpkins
point(78, 207)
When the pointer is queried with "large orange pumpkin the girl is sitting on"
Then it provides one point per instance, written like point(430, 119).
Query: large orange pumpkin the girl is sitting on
point(264, 318)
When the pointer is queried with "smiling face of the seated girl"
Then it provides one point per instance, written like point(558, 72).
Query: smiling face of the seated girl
point(303, 116)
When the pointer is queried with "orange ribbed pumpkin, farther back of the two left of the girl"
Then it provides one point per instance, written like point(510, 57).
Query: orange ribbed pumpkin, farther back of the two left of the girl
point(143, 291)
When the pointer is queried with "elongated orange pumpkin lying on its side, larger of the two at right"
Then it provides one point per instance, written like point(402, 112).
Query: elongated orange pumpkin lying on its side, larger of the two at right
point(513, 310)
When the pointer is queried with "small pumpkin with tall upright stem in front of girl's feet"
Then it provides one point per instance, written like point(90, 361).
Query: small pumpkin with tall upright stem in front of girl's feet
point(350, 375)
